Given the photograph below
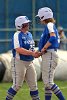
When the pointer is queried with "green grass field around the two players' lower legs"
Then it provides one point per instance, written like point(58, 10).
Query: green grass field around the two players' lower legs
point(23, 93)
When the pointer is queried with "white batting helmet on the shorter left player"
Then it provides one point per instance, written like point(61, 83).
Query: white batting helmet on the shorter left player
point(19, 21)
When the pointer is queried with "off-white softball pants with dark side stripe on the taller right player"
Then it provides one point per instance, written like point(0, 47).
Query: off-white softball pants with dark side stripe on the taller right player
point(49, 63)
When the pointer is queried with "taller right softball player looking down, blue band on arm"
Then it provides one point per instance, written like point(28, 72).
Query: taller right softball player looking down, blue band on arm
point(49, 42)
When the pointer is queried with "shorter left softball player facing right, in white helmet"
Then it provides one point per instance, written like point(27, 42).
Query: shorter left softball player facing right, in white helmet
point(23, 55)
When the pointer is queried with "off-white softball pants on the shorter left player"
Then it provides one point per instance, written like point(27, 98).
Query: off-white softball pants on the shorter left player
point(23, 70)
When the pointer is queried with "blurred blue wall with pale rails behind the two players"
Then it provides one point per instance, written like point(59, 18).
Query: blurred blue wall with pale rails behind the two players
point(10, 9)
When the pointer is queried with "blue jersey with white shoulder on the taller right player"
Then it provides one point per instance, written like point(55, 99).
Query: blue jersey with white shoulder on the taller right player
point(50, 27)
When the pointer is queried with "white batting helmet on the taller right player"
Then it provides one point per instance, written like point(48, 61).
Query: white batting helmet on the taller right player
point(45, 13)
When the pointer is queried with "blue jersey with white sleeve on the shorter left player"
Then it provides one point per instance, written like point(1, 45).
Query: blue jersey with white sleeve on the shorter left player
point(21, 40)
